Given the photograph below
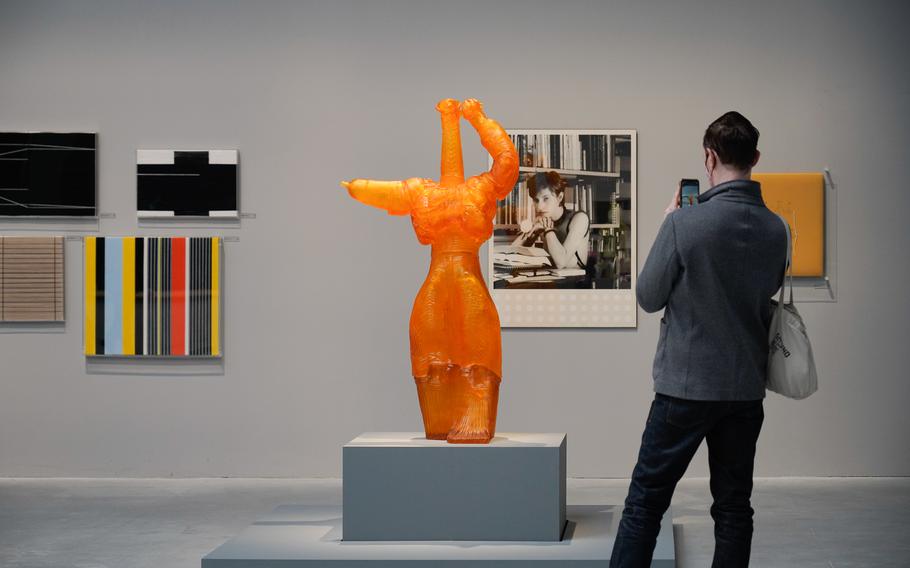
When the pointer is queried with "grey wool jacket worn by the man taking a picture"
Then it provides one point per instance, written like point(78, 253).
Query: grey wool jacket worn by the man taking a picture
point(713, 270)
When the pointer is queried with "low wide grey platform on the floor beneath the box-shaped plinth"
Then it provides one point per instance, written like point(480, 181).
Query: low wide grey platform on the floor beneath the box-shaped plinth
point(299, 536)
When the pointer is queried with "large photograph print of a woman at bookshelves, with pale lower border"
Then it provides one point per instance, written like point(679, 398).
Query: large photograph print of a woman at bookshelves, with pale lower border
point(563, 252)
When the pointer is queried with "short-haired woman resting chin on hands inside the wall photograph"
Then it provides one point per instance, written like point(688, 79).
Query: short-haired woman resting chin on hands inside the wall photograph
point(564, 233)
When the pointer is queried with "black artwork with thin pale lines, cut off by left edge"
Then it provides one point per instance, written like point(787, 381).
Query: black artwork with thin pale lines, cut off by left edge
point(47, 174)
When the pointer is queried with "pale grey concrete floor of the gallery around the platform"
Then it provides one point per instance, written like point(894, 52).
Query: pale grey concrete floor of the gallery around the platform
point(164, 523)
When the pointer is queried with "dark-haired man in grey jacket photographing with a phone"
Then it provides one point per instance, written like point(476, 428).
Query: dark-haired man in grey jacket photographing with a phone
point(713, 269)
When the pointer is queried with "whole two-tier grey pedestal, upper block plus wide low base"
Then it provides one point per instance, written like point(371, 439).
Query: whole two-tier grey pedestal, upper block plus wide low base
point(405, 486)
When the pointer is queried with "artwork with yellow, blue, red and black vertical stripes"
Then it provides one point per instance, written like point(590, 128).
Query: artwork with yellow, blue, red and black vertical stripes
point(152, 296)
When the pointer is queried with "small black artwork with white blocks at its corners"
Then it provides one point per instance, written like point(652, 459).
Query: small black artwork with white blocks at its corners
point(175, 183)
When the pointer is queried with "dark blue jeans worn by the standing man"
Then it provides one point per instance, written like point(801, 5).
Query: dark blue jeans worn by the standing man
point(674, 430)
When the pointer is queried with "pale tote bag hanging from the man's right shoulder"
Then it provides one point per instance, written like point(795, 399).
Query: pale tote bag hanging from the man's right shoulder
point(791, 366)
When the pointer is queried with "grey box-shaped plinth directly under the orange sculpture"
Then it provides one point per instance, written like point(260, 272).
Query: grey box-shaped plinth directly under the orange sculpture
point(403, 487)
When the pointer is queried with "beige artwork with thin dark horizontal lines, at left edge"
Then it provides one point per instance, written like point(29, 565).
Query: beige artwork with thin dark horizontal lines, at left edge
point(31, 279)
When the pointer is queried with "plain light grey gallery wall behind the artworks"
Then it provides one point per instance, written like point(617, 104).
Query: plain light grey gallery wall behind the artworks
point(318, 288)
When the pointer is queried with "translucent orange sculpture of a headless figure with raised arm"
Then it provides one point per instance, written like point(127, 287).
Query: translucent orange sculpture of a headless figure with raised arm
point(456, 350)
